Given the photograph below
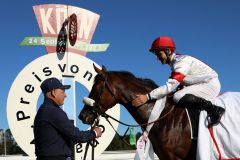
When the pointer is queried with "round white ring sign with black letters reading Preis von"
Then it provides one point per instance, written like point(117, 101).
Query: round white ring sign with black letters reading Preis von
point(25, 92)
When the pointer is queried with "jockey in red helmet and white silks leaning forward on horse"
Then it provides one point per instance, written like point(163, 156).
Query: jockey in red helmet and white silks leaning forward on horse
point(201, 83)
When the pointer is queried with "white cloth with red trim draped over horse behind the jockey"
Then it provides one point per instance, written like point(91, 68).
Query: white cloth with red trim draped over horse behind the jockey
point(222, 142)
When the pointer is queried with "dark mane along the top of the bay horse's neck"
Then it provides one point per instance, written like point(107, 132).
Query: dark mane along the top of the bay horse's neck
point(129, 75)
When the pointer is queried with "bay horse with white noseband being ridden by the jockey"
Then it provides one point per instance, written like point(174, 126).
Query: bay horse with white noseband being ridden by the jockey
point(170, 136)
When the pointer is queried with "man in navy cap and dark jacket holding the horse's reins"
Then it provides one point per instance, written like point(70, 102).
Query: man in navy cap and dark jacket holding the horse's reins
point(53, 132)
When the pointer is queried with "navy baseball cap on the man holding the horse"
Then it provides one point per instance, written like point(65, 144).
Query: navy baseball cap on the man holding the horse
point(51, 84)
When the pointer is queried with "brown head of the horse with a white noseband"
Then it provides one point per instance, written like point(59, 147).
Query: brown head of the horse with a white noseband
point(101, 97)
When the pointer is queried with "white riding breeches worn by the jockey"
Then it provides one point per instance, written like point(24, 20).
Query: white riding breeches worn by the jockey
point(208, 91)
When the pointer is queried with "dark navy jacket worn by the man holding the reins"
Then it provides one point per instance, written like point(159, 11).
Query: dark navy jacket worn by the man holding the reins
point(54, 133)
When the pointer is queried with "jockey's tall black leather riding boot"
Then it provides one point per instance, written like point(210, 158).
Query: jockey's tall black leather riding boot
point(214, 112)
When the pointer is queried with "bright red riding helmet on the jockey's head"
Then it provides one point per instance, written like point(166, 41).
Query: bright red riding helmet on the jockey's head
point(161, 43)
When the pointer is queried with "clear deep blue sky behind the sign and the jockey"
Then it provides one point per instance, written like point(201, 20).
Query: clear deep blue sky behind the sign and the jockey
point(207, 29)
